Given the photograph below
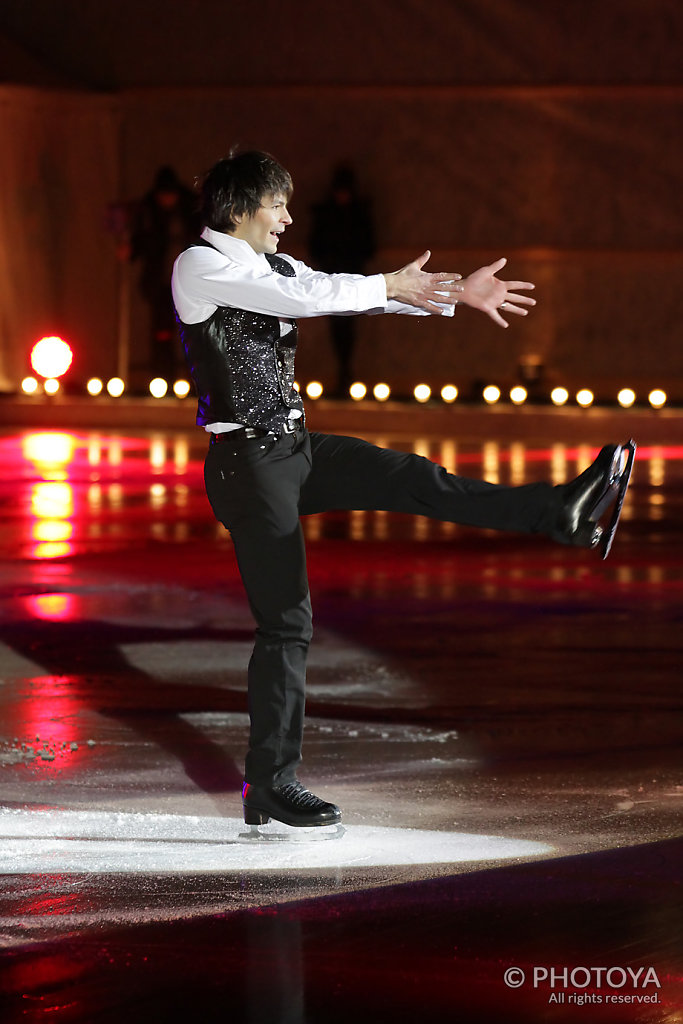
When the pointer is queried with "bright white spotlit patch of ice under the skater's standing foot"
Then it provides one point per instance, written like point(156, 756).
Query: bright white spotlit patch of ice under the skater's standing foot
point(111, 842)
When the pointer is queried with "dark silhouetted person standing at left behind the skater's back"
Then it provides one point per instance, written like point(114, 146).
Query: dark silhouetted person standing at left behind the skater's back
point(165, 223)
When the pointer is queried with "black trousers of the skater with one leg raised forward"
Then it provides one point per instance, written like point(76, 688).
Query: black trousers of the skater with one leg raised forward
point(260, 488)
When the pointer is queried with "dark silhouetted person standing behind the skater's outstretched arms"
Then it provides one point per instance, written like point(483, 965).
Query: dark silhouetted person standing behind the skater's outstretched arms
point(343, 241)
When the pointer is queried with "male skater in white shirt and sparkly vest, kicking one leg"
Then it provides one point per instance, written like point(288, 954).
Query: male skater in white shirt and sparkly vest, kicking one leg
point(238, 304)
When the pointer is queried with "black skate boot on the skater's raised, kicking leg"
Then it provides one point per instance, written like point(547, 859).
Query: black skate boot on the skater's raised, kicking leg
point(586, 500)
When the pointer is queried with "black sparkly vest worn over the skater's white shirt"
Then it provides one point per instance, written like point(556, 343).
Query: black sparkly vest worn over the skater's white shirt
point(242, 369)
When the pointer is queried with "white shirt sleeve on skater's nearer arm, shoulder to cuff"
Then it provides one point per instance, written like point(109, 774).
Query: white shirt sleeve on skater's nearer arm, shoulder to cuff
point(204, 280)
